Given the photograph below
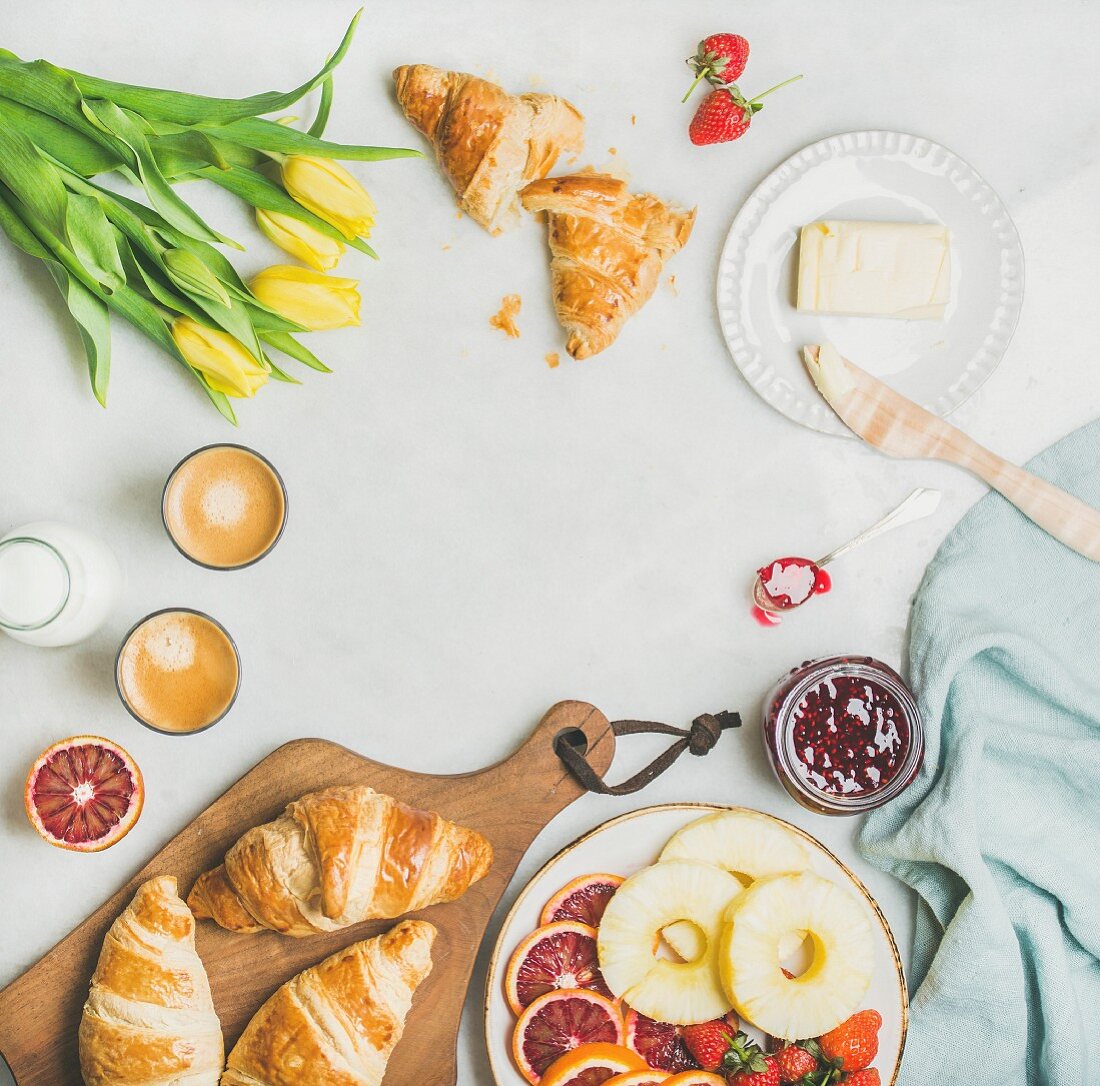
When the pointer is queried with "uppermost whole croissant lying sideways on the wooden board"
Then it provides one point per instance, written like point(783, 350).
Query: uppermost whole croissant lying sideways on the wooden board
point(337, 858)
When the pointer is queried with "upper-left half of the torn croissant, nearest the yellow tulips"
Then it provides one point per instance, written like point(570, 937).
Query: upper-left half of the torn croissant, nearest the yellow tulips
point(489, 144)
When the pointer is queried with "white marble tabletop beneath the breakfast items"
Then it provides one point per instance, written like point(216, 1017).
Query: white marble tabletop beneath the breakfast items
point(475, 536)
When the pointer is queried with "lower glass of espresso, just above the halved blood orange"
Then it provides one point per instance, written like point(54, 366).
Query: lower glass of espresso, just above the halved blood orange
point(179, 672)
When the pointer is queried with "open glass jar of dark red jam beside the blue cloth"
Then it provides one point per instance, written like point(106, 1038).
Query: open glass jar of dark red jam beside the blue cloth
point(844, 734)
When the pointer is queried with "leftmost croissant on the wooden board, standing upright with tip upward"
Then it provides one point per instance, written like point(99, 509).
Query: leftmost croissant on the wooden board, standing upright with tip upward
point(149, 1019)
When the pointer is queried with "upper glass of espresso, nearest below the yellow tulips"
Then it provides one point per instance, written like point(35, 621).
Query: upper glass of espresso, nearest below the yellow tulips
point(225, 507)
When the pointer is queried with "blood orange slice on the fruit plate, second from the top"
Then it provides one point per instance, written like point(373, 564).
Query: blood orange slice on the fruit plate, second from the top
point(562, 956)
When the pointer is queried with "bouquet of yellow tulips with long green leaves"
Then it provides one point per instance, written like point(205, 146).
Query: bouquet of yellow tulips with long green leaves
point(156, 264)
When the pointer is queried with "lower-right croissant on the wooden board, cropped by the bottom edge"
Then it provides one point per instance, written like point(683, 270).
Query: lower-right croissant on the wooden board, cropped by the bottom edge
point(337, 1024)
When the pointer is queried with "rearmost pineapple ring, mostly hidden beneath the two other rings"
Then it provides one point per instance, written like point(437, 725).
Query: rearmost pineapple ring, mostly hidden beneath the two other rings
point(747, 844)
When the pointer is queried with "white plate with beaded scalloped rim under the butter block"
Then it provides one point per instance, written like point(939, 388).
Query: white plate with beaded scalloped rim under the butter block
point(884, 177)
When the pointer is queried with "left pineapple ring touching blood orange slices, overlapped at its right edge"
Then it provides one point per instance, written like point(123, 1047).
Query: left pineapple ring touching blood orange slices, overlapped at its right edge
point(681, 993)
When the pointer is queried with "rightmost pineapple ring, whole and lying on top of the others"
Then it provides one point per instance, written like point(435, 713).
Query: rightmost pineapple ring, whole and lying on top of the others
point(843, 962)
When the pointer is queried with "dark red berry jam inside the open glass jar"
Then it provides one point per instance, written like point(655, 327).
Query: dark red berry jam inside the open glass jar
point(851, 736)
